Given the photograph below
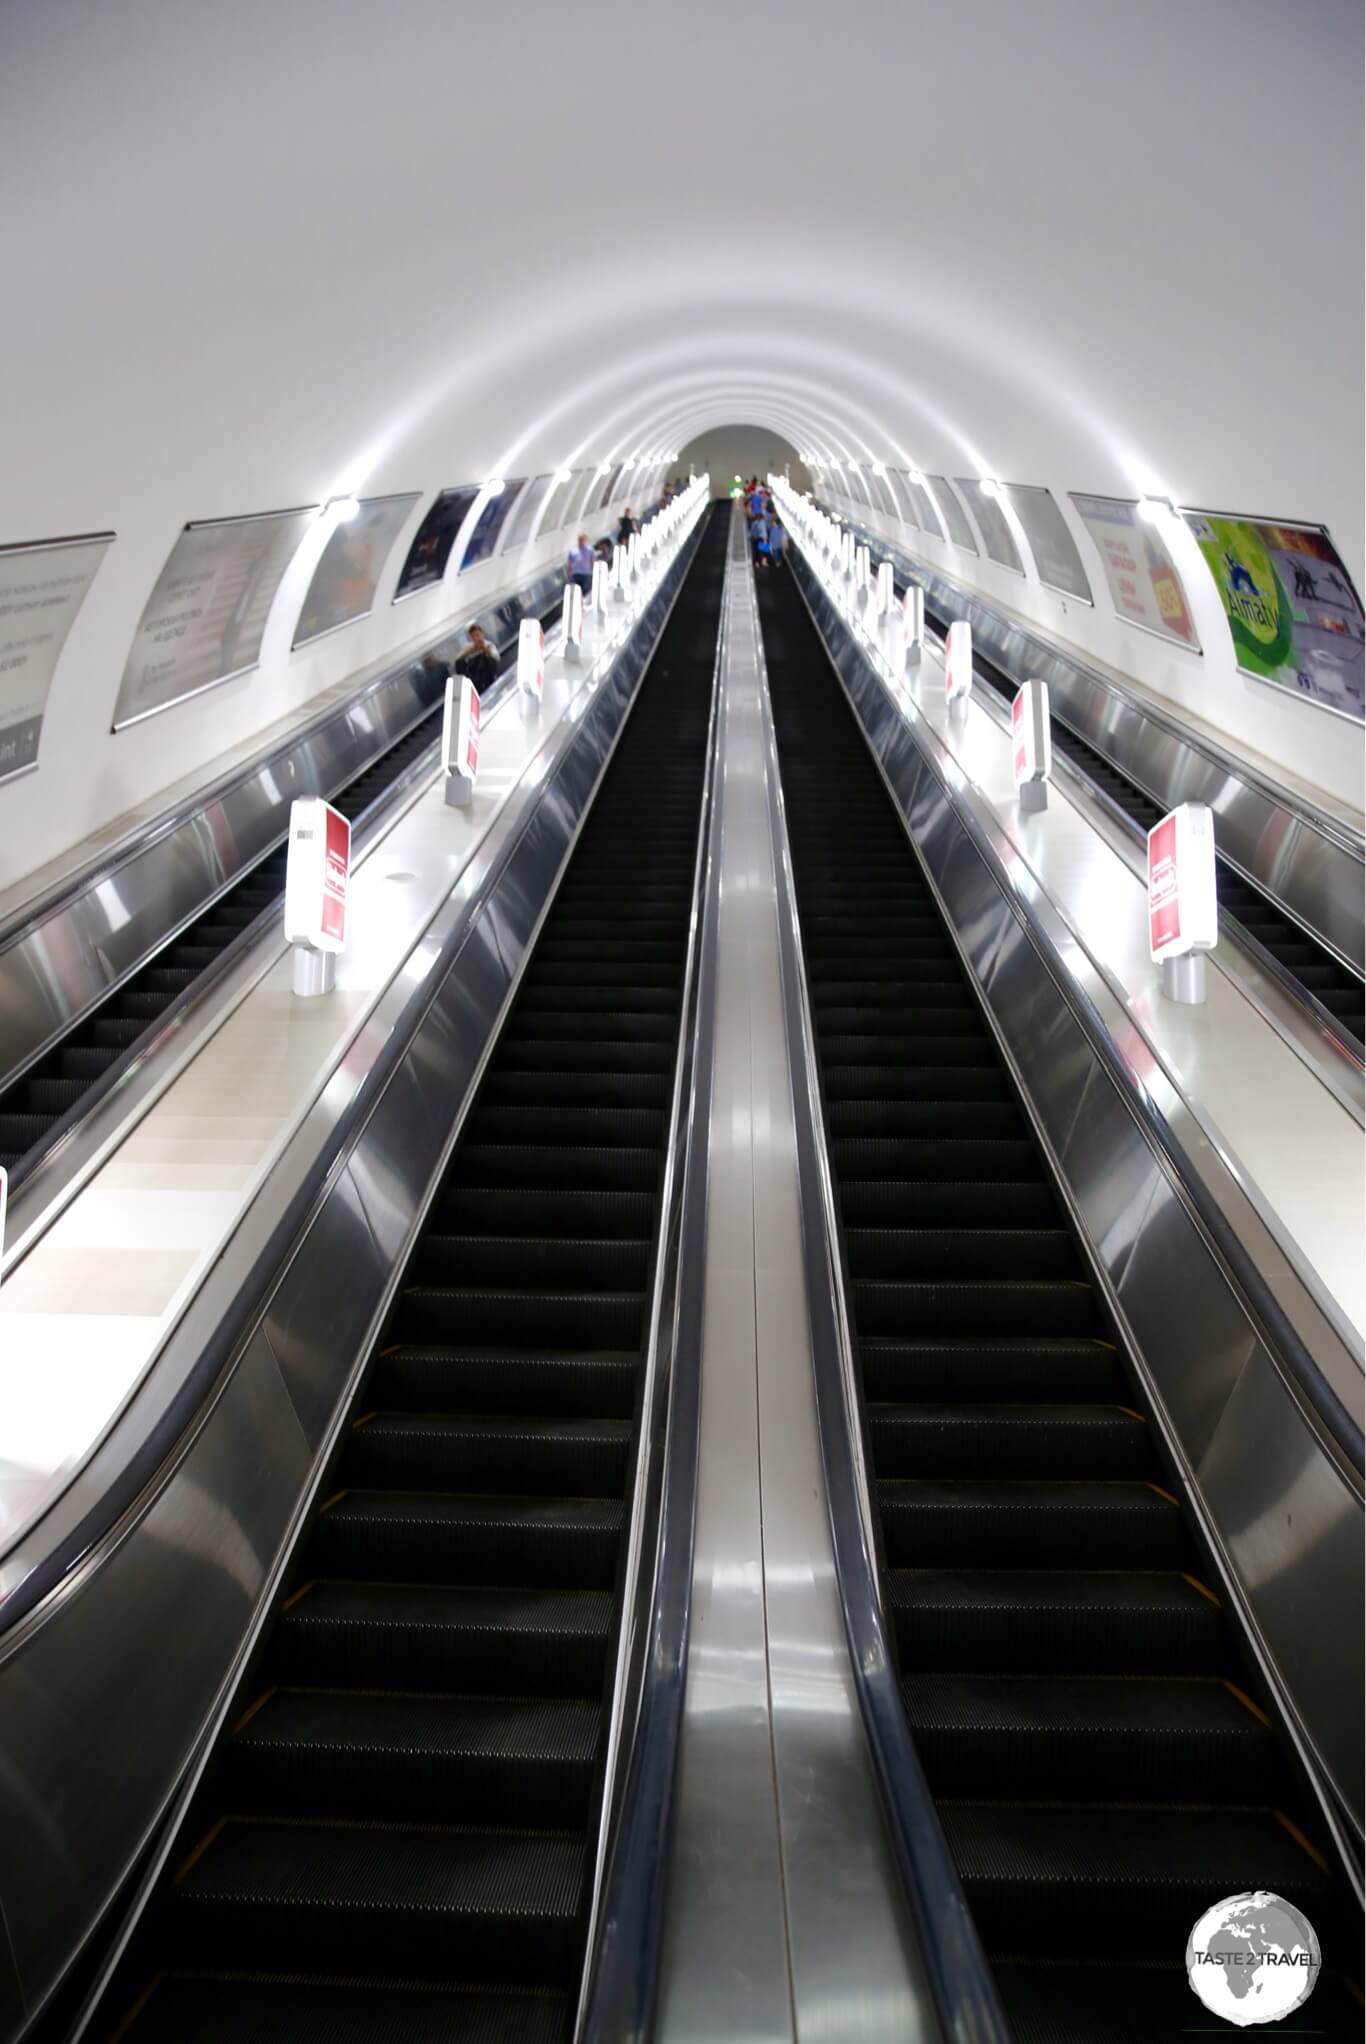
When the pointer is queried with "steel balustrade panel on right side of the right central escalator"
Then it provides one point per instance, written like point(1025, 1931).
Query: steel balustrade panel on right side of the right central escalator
point(1283, 1507)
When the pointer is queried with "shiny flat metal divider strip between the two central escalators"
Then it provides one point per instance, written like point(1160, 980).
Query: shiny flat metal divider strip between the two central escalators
point(784, 1914)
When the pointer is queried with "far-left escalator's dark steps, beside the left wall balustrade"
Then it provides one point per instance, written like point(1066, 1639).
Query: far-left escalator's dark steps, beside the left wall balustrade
point(107, 1035)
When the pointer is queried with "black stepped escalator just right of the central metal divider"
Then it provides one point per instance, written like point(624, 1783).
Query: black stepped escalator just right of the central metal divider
point(1089, 1718)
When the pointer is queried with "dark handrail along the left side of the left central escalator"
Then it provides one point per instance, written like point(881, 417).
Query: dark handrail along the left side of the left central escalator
point(271, 1254)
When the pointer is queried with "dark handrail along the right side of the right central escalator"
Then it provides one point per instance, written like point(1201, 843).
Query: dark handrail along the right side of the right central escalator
point(1283, 1340)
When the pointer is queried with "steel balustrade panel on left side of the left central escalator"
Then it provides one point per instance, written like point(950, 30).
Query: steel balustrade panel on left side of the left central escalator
point(113, 1689)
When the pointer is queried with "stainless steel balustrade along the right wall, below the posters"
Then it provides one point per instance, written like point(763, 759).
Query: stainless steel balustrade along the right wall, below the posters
point(1302, 857)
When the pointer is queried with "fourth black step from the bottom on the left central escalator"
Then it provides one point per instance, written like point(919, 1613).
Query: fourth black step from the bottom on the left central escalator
point(416, 1636)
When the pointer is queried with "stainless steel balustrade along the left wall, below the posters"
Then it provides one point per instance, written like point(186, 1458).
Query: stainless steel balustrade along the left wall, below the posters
point(66, 951)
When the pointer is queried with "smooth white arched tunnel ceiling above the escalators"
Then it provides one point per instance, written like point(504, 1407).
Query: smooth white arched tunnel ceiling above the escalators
point(265, 252)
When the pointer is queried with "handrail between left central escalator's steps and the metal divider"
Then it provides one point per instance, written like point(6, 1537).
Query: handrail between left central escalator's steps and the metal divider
point(627, 1924)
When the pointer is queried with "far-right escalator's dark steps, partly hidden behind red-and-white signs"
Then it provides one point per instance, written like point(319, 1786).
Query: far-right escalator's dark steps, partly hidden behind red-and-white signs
point(1289, 945)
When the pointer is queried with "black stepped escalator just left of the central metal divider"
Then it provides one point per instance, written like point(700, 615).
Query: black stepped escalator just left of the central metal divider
point(396, 1834)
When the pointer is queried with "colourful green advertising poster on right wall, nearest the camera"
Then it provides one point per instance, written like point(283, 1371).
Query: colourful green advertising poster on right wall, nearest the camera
point(1291, 608)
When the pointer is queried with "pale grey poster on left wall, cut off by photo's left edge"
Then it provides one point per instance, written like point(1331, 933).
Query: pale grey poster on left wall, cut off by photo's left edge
point(42, 590)
